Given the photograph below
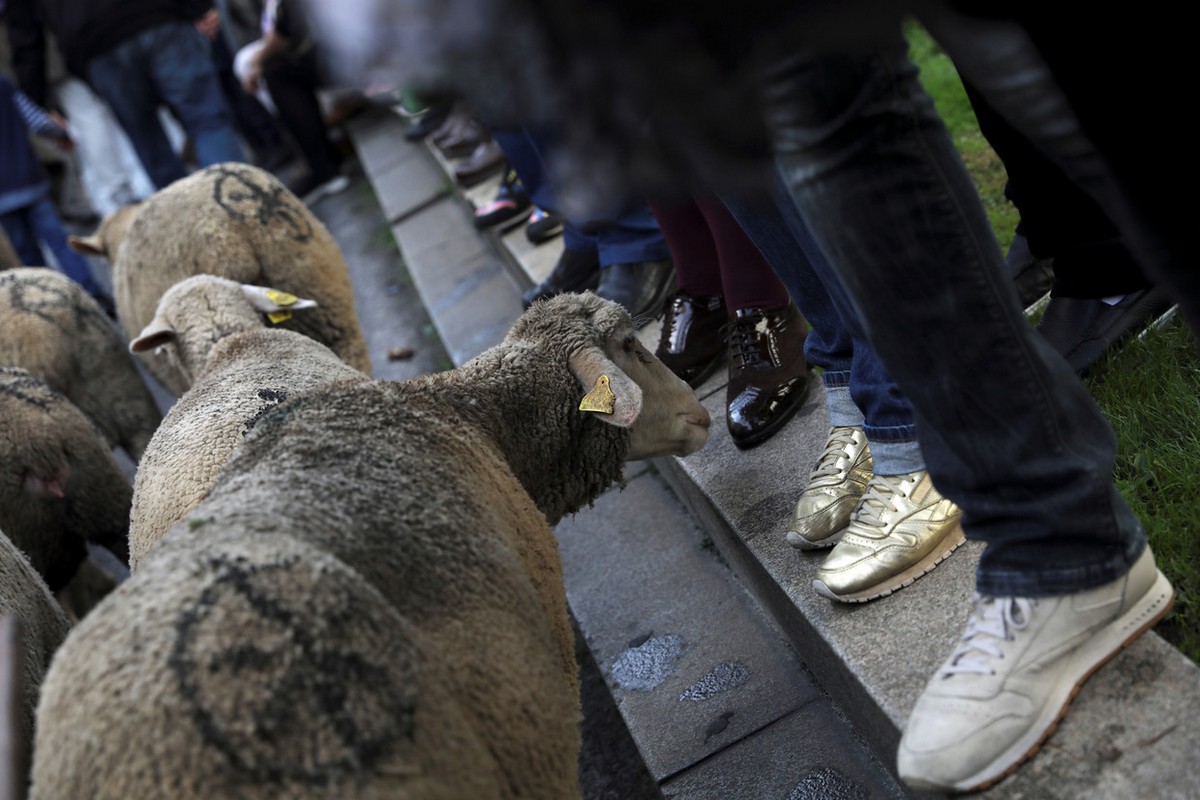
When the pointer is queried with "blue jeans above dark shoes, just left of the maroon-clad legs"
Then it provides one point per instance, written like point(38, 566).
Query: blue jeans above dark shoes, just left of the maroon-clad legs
point(628, 236)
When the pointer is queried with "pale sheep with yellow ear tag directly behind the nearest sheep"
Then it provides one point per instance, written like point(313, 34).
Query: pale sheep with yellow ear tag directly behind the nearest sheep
point(238, 370)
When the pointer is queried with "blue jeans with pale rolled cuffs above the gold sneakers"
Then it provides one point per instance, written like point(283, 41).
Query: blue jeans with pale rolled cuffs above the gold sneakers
point(859, 390)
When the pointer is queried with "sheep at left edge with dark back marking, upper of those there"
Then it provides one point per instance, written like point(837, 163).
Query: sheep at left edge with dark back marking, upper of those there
point(57, 332)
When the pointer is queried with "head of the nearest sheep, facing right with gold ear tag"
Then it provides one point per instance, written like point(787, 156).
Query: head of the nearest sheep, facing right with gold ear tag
point(621, 382)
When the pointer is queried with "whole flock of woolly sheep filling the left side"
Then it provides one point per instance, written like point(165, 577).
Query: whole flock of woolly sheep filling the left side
point(339, 587)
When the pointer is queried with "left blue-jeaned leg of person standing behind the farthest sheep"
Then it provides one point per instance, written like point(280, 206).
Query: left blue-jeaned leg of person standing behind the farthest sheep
point(123, 80)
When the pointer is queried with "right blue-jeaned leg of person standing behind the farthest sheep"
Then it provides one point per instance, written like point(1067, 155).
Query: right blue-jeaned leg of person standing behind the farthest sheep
point(185, 80)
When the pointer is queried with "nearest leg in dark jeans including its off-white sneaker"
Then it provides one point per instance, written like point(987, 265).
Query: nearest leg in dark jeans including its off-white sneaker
point(1007, 429)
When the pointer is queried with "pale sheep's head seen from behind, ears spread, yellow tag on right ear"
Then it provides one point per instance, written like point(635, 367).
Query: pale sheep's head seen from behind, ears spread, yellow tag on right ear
point(199, 312)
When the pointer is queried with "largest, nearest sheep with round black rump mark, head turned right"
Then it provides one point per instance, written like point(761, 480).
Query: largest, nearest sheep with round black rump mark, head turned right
point(370, 601)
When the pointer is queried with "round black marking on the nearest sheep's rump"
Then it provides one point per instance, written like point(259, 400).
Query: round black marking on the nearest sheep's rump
point(309, 724)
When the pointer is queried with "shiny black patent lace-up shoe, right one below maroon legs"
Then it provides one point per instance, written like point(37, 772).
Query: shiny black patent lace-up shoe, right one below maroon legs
point(769, 375)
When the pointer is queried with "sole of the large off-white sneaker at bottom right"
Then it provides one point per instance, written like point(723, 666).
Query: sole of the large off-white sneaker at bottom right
point(1106, 645)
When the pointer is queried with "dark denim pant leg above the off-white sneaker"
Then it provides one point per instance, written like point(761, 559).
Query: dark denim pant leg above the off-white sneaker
point(1009, 431)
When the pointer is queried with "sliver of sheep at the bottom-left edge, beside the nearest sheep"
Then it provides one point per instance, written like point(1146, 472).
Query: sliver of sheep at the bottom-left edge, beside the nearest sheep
point(43, 627)
